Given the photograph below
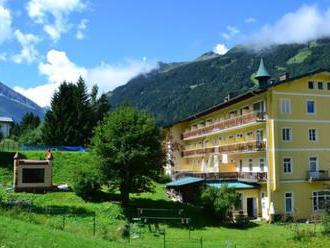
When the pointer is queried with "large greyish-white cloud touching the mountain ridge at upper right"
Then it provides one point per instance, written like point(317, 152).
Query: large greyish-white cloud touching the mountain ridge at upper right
point(305, 24)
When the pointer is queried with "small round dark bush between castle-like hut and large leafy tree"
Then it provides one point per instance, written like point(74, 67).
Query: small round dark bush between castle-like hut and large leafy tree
point(87, 183)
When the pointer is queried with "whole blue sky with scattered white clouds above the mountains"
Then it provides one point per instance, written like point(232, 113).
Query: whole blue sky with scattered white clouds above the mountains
point(43, 42)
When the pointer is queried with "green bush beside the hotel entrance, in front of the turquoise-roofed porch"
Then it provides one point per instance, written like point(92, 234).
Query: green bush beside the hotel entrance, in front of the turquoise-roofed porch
point(219, 201)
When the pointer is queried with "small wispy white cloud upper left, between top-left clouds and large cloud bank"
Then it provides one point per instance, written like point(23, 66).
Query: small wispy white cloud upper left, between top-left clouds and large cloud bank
point(28, 53)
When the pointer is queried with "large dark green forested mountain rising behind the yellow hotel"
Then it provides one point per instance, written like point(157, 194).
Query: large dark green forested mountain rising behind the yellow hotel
point(186, 88)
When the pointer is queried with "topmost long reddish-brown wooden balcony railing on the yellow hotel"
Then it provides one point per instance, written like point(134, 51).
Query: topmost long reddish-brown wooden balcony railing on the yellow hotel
point(225, 124)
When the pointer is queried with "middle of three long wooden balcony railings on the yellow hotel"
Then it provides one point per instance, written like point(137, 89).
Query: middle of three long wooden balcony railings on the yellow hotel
point(248, 146)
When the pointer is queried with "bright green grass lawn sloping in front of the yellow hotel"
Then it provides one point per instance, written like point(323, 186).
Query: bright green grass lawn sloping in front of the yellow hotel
point(30, 227)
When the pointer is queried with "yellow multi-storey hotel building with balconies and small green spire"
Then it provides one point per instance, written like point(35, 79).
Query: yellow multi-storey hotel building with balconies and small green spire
point(273, 141)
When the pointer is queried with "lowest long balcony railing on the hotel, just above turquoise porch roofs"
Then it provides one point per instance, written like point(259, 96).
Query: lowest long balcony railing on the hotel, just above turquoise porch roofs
point(252, 177)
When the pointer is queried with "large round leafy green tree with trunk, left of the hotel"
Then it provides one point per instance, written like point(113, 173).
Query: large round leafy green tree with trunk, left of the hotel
point(128, 144)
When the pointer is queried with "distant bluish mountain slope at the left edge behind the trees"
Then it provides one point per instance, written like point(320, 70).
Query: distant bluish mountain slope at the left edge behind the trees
point(15, 105)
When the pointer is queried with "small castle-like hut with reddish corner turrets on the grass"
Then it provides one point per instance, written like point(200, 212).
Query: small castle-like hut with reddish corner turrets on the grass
point(33, 175)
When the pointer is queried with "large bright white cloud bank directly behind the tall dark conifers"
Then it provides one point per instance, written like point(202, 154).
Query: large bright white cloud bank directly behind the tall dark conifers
point(59, 67)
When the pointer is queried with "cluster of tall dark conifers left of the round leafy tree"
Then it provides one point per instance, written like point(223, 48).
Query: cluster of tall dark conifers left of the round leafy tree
point(73, 115)
